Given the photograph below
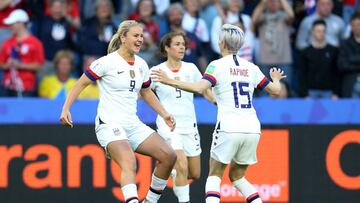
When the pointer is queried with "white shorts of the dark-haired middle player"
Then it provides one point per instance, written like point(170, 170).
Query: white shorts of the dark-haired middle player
point(189, 143)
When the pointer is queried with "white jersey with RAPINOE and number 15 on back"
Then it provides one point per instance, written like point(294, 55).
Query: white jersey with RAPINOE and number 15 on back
point(234, 80)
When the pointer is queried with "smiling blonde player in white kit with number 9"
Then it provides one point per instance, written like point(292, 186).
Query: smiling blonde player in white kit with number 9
point(121, 75)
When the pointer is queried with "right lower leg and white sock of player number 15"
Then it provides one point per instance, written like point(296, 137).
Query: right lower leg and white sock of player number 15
point(236, 175)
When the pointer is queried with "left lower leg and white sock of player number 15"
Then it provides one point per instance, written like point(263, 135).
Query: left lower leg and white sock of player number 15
point(213, 181)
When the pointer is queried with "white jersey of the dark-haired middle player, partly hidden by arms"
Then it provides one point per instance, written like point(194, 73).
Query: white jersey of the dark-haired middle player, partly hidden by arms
point(177, 102)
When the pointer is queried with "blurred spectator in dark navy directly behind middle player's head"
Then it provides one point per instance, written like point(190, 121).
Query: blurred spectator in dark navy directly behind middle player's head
point(194, 52)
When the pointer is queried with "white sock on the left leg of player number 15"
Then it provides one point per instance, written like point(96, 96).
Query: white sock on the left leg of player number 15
point(212, 189)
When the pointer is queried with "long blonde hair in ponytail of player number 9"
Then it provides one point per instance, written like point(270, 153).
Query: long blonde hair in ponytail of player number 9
point(123, 29)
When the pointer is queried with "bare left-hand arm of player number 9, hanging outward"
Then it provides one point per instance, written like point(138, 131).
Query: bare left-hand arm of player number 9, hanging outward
point(65, 116)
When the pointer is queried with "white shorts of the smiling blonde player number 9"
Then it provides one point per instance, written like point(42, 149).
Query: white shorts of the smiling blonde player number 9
point(136, 134)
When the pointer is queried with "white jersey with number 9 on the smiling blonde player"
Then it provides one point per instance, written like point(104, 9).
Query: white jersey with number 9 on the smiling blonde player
point(119, 83)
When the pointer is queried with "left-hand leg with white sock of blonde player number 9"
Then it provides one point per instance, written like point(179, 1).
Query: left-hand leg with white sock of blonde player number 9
point(121, 152)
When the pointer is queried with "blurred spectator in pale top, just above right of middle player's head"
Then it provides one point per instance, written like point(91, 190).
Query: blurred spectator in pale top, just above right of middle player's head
point(192, 22)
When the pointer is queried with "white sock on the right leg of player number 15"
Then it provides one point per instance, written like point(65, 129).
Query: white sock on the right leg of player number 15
point(247, 190)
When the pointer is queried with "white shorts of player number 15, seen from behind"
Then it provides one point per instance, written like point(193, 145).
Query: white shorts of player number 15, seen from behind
point(239, 147)
